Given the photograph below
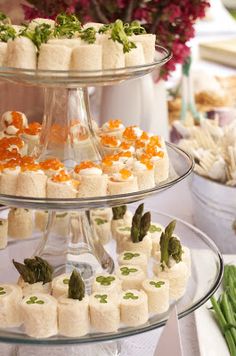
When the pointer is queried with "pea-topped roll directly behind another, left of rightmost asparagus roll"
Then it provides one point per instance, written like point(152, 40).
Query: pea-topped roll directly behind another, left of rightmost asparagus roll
point(130, 258)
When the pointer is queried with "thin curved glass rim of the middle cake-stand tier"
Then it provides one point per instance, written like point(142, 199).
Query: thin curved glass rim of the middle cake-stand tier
point(90, 202)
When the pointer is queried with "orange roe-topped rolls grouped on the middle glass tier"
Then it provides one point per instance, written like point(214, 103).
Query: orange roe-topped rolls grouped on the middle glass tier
point(140, 161)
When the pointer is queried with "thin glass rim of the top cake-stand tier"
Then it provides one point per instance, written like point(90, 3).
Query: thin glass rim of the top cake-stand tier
point(166, 55)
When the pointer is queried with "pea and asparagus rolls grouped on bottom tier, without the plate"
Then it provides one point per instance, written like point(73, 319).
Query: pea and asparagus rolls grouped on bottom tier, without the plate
point(65, 305)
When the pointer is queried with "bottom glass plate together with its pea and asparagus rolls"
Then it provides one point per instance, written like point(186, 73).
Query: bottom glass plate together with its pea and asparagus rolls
point(135, 284)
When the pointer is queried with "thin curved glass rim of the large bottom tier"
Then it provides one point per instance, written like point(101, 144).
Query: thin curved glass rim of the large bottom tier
point(141, 329)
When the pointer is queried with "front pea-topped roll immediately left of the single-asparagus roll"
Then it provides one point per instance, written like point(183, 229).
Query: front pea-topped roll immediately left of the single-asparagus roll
point(39, 314)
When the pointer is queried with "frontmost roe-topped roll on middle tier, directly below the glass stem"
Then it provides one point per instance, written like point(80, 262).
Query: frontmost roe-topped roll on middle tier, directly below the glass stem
point(61, 185)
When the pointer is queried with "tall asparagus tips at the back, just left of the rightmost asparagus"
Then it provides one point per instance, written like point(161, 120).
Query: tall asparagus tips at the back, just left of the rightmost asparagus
point(140, 224)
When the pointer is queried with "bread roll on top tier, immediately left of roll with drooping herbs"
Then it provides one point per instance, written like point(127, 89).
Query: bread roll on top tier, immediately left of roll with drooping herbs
point(87, 57)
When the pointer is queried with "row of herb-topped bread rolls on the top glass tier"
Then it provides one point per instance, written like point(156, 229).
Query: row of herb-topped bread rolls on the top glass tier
point(65, 44)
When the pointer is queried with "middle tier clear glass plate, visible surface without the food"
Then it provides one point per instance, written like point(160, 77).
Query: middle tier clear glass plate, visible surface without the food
point(181, 165)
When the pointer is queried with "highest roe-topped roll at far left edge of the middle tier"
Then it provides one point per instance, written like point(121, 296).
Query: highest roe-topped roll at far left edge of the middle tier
point(13, 122)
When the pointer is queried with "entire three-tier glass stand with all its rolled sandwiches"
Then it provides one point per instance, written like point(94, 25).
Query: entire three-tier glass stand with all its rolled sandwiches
point(64, 175)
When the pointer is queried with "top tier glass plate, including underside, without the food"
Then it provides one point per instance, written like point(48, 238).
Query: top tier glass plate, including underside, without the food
point(75, 79)
